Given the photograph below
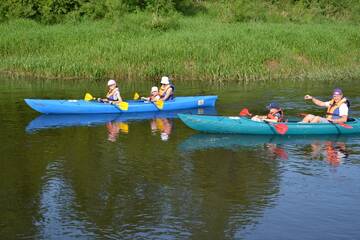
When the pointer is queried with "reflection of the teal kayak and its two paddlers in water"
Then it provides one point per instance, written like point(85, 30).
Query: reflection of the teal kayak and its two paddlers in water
point(332, 149)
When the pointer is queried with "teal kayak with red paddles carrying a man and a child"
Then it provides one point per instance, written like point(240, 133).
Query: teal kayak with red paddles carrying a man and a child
point(242, 125)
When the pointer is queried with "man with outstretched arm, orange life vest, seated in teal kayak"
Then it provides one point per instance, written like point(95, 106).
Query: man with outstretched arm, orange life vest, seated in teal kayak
point(337, 109)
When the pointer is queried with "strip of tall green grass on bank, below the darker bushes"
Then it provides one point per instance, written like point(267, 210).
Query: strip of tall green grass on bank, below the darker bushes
point(191, 48)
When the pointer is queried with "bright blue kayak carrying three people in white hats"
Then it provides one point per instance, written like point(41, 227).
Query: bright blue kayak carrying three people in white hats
point(94, 107)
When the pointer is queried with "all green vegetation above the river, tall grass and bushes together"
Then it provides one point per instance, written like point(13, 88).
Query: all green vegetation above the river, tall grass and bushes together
point(239, 40)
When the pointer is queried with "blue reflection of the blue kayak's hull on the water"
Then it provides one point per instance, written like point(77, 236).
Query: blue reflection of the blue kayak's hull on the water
point(75, 120)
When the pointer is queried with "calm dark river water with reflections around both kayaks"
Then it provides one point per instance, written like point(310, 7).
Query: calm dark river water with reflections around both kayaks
point(121, 177)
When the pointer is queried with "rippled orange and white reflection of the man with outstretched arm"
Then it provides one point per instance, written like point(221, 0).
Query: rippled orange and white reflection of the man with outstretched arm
point(334, 152)
